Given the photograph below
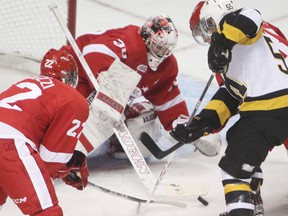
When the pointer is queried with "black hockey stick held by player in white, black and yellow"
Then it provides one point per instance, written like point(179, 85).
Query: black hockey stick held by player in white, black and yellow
point(152, 146)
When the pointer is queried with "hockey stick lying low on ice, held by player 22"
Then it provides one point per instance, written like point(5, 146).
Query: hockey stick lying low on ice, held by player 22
point(135, 199)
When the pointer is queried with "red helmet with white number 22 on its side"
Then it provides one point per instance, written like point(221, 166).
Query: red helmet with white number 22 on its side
point(60, 65)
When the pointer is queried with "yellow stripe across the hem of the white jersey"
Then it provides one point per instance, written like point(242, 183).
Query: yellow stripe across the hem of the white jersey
point(265, 105)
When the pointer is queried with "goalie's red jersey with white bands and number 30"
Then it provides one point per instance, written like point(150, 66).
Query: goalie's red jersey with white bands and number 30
point(125, 44)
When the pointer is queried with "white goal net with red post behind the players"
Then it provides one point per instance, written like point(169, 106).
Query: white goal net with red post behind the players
point(28, 29)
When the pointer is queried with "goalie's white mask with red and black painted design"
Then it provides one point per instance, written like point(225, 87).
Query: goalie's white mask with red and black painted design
point(160, 36)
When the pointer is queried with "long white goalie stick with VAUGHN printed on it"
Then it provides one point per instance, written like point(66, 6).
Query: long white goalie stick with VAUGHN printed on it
point(126, 140)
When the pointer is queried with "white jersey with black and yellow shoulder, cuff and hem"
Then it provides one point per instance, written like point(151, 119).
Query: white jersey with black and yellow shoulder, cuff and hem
point(256, 82)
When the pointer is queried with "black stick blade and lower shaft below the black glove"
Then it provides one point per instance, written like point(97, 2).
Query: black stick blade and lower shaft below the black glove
point(152, 146)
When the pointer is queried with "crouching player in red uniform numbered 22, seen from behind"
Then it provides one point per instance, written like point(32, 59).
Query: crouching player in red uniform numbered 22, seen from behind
point(41, 119)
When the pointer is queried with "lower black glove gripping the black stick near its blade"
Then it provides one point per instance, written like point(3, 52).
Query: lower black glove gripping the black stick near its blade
point(187, 134)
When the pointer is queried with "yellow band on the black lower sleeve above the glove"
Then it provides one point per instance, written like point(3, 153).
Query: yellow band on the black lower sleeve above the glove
point(222, 110)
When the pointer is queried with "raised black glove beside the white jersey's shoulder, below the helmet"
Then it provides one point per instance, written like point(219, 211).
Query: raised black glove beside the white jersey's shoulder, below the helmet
point(219, 56)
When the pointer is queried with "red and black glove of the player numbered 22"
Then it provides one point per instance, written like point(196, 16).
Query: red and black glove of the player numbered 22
point(78, 175)
